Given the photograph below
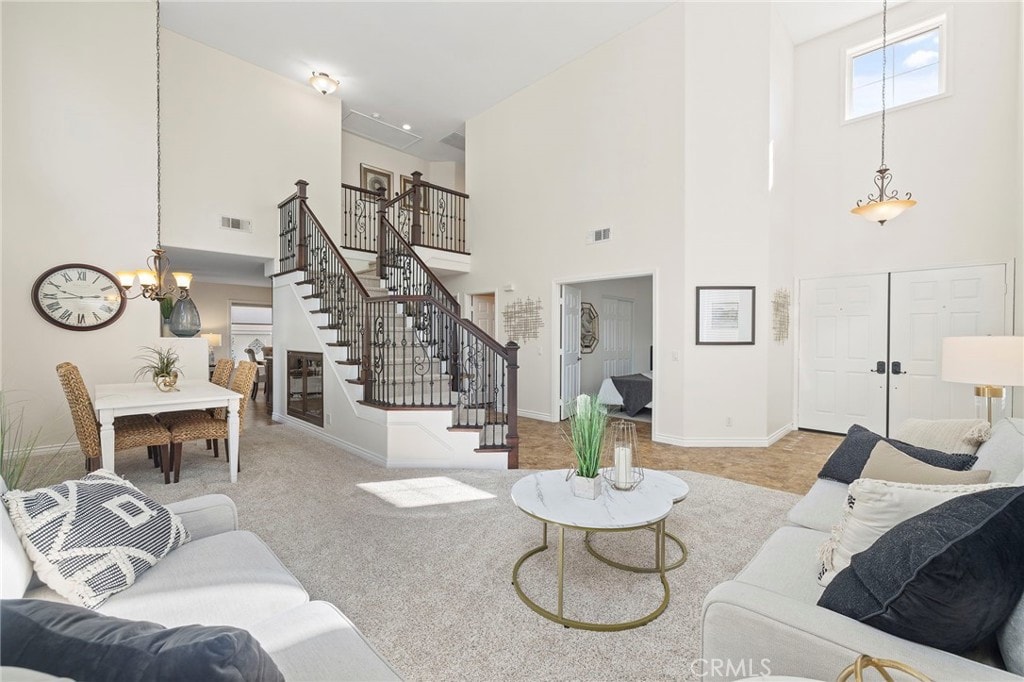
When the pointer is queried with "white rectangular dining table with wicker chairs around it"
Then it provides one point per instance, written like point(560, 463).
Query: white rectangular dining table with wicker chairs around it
point(144, 398)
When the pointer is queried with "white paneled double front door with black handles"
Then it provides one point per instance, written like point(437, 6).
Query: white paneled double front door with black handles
point(870, 346)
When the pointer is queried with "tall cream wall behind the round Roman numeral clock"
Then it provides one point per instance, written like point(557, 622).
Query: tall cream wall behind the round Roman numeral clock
point(79, 186)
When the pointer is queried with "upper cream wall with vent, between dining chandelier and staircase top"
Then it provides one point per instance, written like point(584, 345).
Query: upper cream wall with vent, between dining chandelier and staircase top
point(236, 138)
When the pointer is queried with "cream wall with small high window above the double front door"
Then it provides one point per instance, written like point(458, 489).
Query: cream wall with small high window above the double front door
point(957, 155)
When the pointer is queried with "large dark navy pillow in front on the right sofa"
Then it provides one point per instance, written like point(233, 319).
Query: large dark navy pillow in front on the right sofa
point(948, 578)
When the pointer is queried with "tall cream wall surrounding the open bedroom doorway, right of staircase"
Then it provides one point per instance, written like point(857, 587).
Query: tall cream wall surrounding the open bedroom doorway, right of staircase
point(563, 157)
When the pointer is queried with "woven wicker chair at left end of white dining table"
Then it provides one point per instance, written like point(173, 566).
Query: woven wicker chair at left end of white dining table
point(130, 432)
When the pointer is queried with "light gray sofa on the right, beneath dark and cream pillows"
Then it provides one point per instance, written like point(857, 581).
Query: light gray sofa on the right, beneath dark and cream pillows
point(770, 612)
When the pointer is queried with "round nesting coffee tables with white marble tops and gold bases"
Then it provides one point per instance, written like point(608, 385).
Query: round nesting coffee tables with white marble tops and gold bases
point(548, 498)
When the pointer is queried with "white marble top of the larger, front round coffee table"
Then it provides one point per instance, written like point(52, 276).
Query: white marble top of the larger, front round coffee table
point(548, 497)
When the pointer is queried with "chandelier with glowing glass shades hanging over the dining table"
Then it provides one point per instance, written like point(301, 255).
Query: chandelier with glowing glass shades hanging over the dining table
point(157, 282)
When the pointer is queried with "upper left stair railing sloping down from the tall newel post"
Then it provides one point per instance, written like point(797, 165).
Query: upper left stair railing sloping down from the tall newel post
point(344, 299)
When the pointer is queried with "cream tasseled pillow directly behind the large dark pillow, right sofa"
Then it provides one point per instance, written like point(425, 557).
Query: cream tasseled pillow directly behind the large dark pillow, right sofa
point(874, 507)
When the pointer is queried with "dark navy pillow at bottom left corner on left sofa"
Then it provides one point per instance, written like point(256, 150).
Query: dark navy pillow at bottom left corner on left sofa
point(71, 642)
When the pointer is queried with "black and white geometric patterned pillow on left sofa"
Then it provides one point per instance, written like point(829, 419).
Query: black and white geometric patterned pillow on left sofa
point(93, 538)
